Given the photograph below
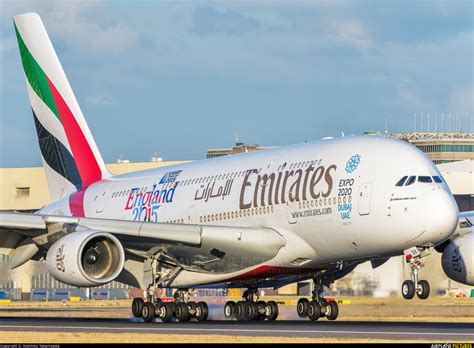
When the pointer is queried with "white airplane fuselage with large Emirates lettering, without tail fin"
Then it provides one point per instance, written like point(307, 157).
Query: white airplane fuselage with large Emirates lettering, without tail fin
point(331, 200)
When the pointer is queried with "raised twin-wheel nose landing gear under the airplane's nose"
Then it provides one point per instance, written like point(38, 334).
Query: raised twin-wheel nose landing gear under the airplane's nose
point(420, 287)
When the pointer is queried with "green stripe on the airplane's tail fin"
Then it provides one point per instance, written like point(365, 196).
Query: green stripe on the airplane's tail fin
point(36, 76)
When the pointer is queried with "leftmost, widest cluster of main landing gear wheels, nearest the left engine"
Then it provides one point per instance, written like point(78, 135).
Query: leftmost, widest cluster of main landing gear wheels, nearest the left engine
point(182, 309)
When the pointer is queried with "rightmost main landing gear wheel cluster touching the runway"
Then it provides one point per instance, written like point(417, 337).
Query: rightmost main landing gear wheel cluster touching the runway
point(318, 307)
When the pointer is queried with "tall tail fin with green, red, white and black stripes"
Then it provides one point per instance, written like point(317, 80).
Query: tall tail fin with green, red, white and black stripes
point(70, 155)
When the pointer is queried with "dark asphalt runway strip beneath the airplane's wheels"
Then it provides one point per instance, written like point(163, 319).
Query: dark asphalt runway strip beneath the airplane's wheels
point(441, 332)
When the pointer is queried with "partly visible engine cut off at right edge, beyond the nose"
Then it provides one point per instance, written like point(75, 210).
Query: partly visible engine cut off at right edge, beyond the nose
point(458, 259)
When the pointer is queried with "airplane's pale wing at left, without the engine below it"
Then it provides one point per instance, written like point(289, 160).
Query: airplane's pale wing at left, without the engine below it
point(200, 247)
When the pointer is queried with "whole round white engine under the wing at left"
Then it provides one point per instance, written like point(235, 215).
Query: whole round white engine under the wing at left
point(86, 258)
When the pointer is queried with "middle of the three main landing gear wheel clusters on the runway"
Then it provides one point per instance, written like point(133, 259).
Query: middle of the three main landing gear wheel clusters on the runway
point(251, 308)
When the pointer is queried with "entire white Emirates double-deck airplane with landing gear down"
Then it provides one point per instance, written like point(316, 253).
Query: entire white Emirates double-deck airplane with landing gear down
point(262, 219)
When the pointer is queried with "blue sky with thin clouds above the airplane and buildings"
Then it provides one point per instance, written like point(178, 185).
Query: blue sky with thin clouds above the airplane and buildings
point(178, 77)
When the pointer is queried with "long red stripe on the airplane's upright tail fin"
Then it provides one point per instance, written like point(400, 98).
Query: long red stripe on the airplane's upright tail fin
point(87, 165)
